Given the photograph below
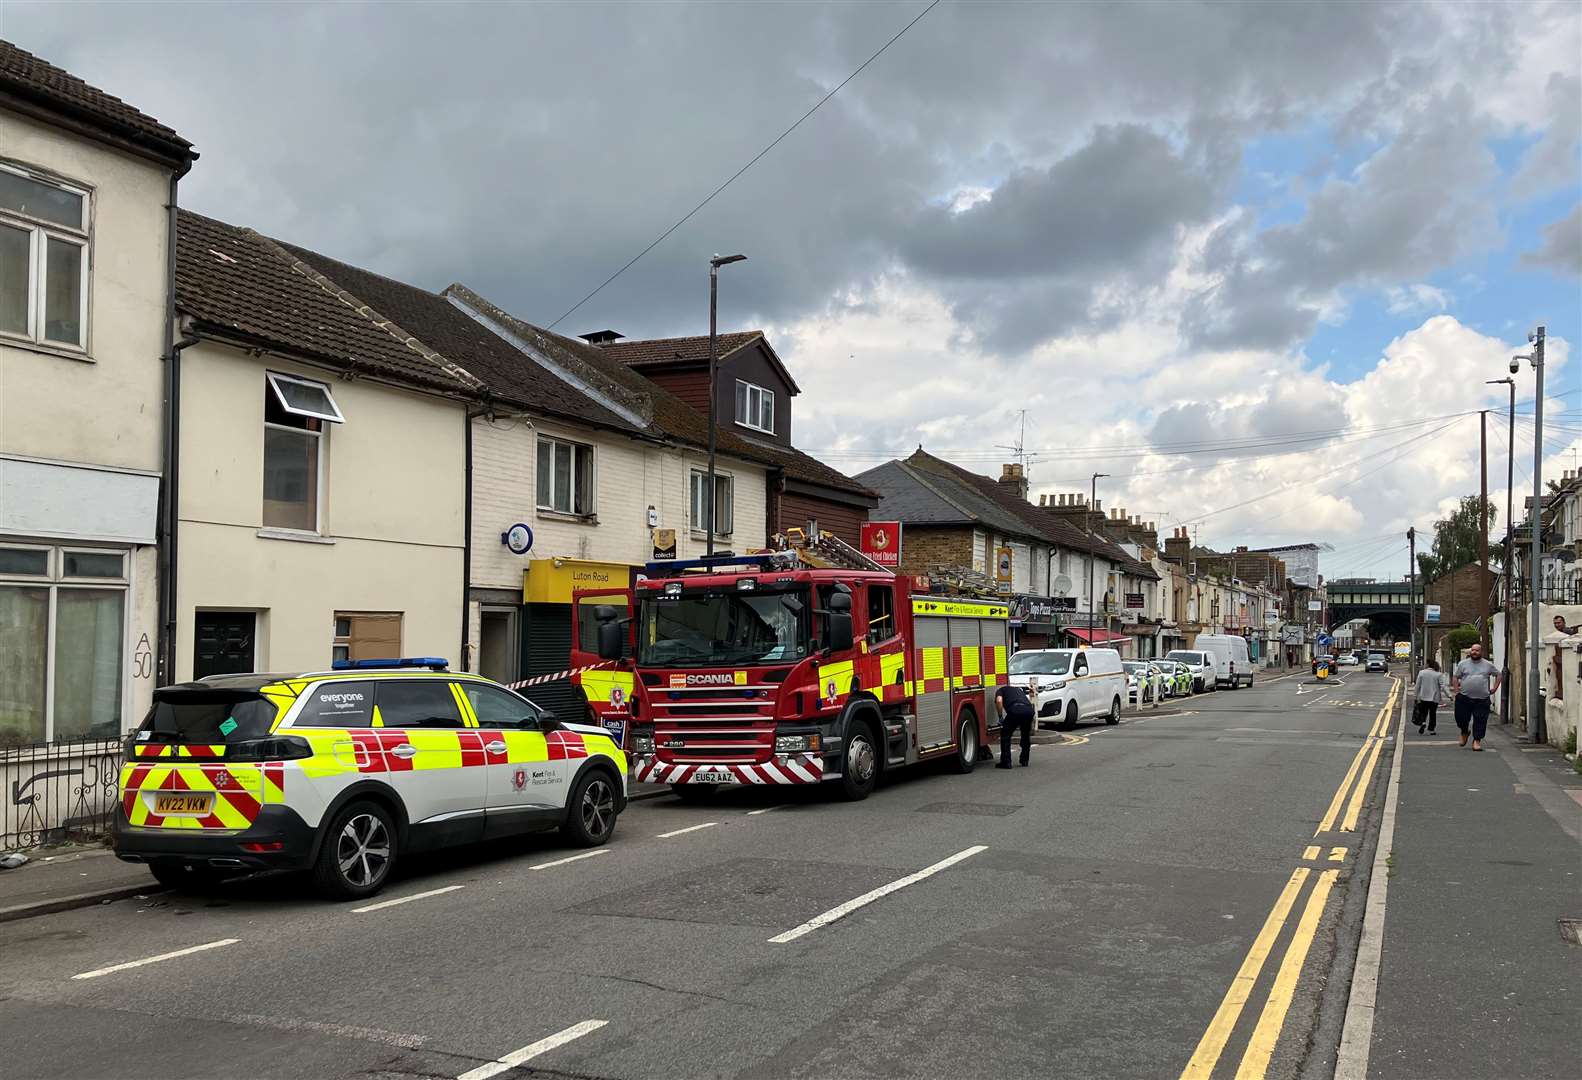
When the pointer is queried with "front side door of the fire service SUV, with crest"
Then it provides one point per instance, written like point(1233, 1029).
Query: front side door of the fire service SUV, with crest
point(526, 790)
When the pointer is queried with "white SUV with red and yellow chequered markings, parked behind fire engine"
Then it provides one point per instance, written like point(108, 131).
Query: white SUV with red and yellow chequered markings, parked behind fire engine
point(343, 772)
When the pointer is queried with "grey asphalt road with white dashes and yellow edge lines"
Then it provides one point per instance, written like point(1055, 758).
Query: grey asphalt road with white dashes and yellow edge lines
point(1094, 924)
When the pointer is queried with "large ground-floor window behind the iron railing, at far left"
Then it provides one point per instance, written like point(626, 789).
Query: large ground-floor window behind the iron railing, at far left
point(61, 644)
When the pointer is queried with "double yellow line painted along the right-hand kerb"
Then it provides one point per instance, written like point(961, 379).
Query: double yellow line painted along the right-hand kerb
point(1266, 1033)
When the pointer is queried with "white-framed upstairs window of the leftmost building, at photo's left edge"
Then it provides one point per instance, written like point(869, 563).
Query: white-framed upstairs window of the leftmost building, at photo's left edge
point(44, 260)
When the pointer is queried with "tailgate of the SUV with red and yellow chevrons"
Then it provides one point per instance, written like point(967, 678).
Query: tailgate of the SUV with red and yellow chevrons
point(199, 761)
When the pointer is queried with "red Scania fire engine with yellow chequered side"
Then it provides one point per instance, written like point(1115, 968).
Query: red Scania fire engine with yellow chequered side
point(770, 671)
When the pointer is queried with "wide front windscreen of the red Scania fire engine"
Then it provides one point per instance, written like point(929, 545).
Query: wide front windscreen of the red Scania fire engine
point(724, 627)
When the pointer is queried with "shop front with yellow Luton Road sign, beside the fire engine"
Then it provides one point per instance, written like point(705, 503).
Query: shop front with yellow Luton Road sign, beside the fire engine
point(547, 619)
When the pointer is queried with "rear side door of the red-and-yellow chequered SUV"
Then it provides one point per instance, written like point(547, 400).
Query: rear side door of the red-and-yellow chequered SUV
point(436, 761)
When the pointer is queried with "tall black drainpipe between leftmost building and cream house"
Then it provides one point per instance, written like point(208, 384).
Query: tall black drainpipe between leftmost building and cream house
point(181, 338)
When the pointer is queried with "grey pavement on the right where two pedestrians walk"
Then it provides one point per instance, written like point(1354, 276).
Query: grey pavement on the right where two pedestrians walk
point(1477, 978)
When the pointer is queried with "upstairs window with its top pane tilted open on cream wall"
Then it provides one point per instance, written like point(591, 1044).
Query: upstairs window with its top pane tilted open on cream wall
point(295, 417)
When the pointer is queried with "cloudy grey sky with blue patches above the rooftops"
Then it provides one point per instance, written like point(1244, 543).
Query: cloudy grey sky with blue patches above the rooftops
point(1192, 243)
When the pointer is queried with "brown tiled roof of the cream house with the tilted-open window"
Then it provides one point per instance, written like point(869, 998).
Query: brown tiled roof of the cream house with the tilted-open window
point(238, 281)
